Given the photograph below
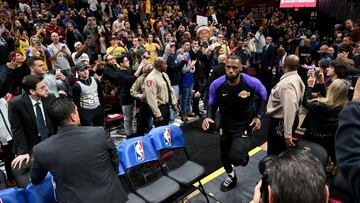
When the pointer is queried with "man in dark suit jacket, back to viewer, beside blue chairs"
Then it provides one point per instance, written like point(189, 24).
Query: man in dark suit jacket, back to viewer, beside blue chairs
point(83, 160)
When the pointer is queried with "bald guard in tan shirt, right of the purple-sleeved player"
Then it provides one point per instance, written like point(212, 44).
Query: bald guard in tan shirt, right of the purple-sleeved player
point(284, 103)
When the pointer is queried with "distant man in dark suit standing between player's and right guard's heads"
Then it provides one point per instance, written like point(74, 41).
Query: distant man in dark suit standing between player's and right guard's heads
point(267, 62)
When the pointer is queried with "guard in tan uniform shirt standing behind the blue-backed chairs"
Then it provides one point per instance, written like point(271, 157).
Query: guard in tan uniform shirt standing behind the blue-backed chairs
point(159, 94)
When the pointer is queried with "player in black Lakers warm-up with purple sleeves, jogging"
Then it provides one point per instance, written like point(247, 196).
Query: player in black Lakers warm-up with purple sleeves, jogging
point(234, 95)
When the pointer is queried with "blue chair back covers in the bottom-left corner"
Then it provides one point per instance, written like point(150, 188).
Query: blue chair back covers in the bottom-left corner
point(42, 193)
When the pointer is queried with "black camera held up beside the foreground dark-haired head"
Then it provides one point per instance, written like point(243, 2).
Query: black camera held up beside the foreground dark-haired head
point(264, 169)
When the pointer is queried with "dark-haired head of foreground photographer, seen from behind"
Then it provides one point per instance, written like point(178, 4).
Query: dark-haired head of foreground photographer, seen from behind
point(280, 184)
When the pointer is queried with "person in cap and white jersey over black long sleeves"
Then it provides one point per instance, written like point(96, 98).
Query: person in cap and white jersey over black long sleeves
point(88, 97)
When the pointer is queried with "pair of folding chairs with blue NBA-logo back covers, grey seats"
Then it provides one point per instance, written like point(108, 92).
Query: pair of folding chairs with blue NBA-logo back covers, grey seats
point(145, 152)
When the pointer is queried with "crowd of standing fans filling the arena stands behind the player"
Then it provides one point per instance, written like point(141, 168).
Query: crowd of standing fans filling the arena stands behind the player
point(112, 48)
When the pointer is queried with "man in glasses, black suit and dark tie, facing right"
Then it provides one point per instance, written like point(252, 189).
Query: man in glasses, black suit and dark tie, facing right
point(27, 125)
